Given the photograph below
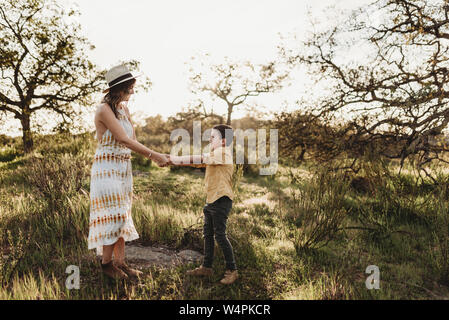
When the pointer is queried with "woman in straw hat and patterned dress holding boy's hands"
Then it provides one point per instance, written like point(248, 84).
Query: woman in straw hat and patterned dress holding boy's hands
point(111, 192)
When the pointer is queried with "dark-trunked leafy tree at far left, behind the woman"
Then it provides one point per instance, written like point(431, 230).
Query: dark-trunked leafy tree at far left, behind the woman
point(43, 63)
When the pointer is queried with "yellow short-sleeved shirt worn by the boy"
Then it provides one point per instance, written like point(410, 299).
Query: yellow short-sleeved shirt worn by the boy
point(219, 170)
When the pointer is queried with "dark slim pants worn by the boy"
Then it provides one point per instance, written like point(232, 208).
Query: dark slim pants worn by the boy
point(215, 218)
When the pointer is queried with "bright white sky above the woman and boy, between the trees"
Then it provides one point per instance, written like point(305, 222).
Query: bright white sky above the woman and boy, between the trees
point(163, 35)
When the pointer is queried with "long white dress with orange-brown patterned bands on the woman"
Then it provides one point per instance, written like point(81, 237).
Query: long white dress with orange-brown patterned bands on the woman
point(111, 191)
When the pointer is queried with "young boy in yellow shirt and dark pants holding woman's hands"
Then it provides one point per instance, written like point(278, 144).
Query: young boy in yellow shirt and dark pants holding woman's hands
point(218, 182)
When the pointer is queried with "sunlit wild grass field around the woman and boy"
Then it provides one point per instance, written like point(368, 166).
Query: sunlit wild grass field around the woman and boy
point(297, 235)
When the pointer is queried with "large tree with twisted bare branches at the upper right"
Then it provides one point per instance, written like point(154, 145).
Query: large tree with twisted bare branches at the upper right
point(396, 94)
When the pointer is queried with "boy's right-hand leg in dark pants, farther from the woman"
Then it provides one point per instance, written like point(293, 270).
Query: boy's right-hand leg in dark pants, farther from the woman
point(219, 217)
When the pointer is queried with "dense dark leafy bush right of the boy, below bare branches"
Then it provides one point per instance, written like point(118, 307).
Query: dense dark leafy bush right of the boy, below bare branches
point(308, 137)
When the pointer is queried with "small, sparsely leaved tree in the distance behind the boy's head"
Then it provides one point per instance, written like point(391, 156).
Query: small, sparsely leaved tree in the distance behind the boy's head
point(234, 82)
